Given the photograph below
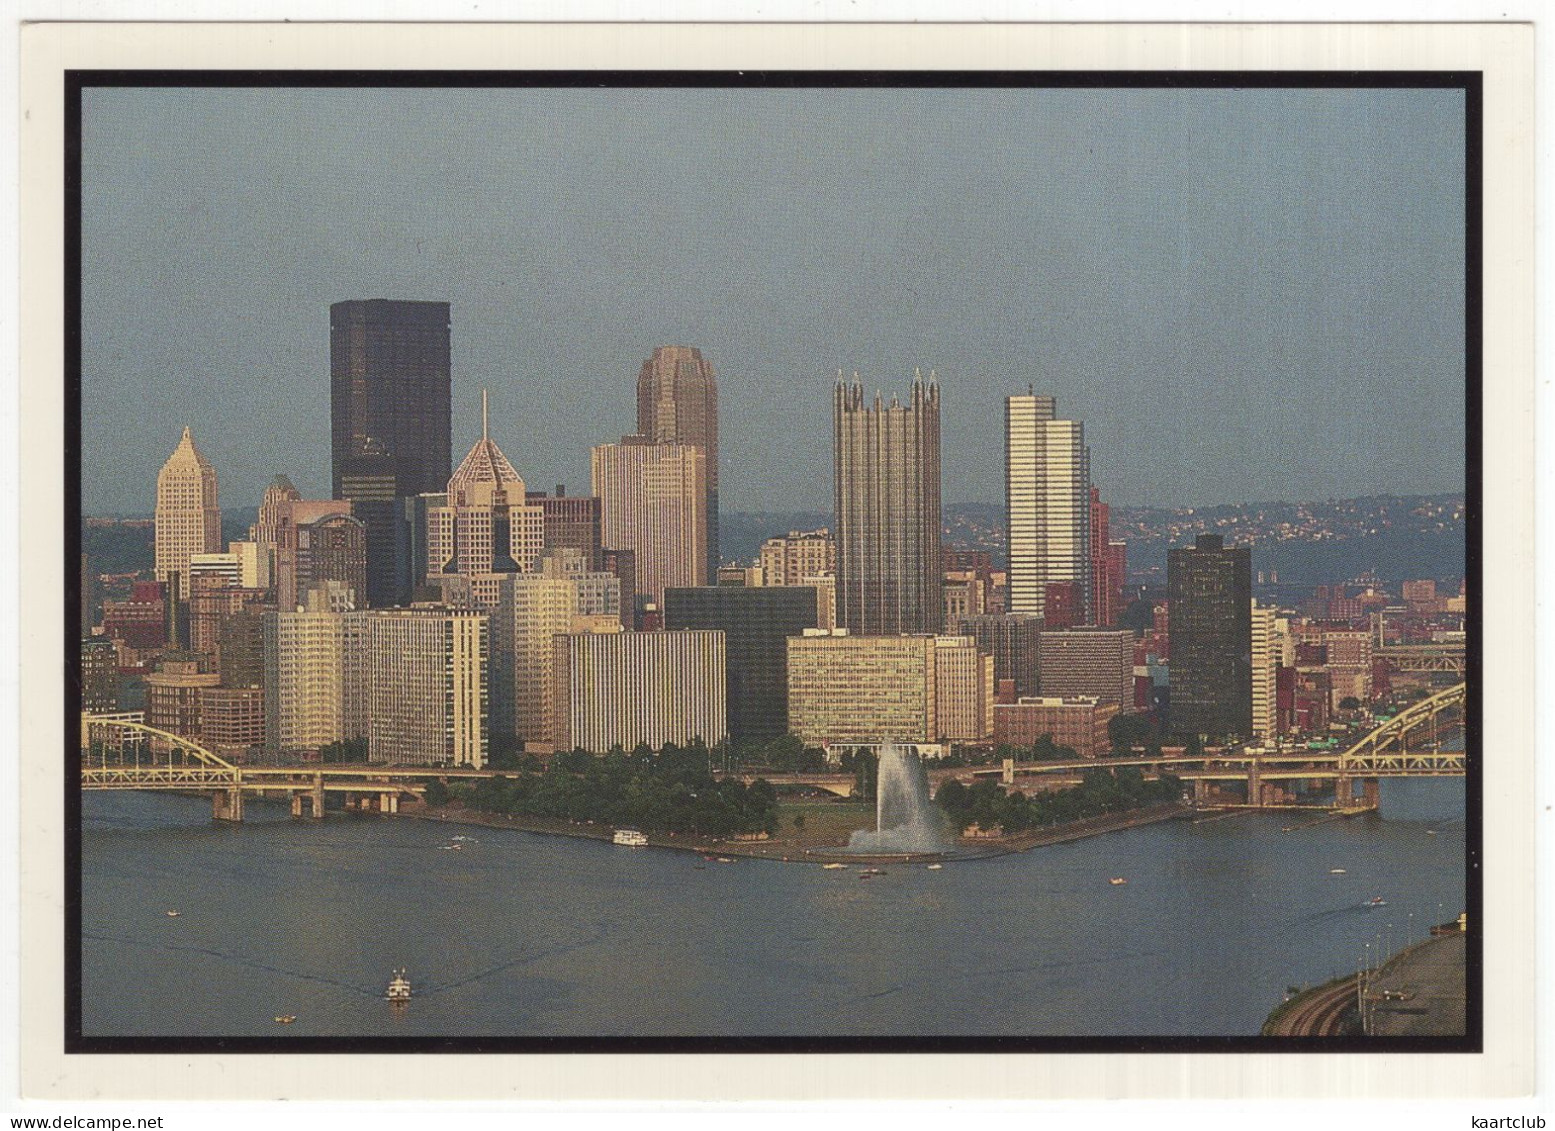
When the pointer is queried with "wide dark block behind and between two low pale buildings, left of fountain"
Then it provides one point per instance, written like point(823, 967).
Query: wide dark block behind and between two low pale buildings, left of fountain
point(758, 625)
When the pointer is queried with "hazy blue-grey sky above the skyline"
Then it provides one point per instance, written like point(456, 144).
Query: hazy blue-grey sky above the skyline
point(1245, 295)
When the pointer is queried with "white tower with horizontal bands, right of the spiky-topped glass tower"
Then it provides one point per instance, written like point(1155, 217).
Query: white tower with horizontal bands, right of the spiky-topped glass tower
point(1047, 499)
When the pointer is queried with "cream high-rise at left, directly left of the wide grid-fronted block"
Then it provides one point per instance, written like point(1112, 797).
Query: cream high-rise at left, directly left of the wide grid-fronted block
point(302, 679)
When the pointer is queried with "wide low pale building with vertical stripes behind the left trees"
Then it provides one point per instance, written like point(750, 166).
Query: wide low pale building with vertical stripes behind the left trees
point(640, 688)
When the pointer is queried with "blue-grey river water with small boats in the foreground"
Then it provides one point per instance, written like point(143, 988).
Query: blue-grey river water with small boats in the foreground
point(531, 936)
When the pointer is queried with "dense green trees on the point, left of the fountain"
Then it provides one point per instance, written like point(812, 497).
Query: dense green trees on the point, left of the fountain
point(671, 791)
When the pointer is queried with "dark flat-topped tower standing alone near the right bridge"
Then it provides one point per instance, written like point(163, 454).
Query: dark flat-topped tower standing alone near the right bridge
point(1212, 640)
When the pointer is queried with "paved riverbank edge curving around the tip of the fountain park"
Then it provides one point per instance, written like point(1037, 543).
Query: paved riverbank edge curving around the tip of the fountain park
point(823, 846)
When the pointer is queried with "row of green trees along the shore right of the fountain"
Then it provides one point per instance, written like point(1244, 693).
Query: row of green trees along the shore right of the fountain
point(1103, 791)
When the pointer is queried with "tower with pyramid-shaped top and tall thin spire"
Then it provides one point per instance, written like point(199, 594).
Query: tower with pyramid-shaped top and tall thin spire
point(486, 530)
